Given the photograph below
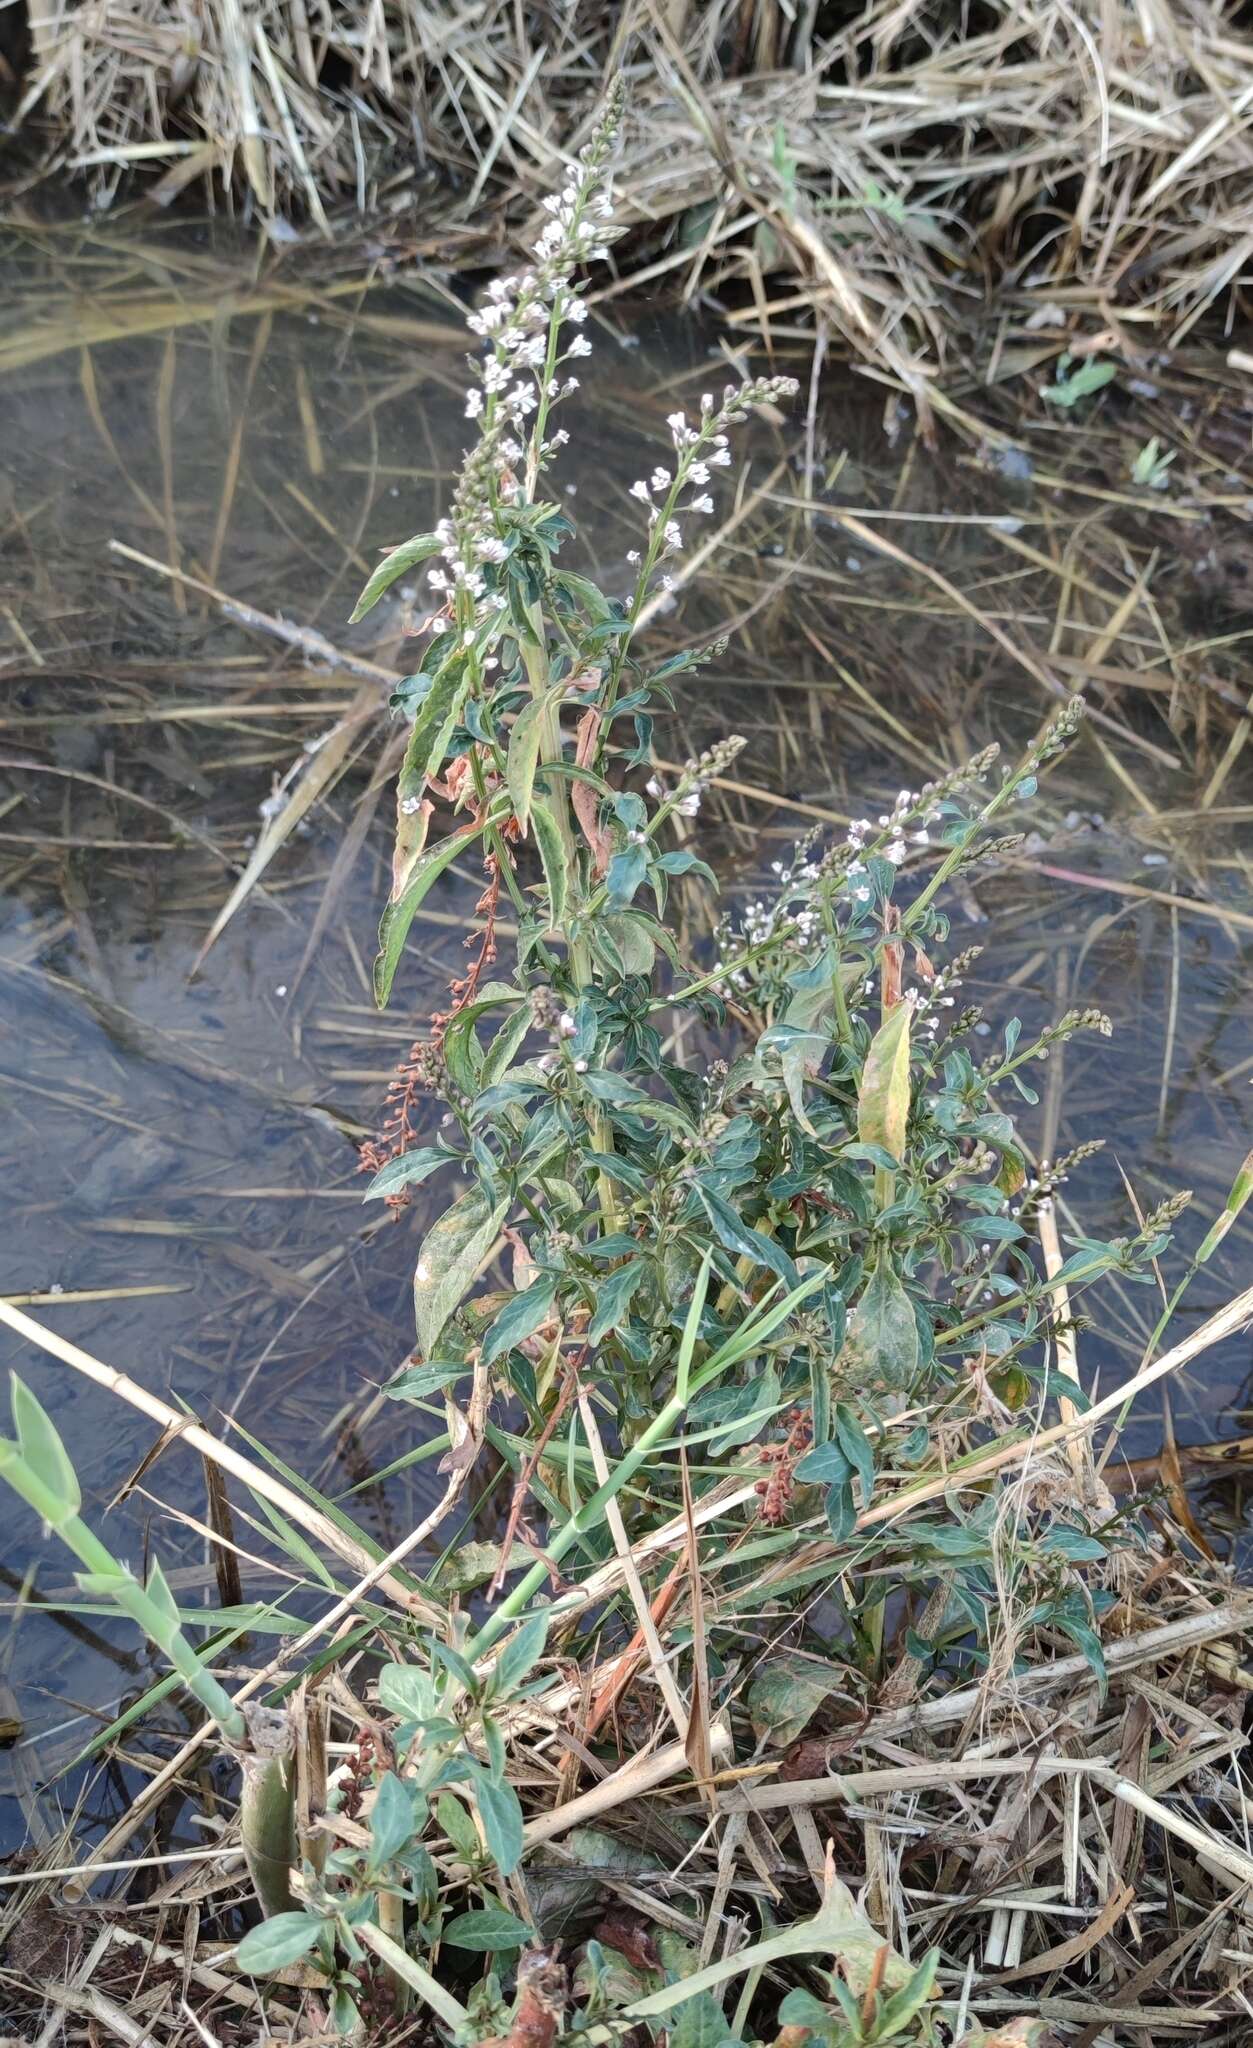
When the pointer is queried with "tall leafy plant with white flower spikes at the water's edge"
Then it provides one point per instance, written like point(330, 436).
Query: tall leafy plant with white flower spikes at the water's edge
point(836, 1218)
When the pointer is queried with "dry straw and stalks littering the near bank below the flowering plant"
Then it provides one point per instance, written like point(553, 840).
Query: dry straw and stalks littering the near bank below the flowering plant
point(1074, 1848)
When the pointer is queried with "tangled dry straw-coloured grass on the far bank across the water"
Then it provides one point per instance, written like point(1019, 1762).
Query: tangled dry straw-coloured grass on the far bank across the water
point(877, 173)
